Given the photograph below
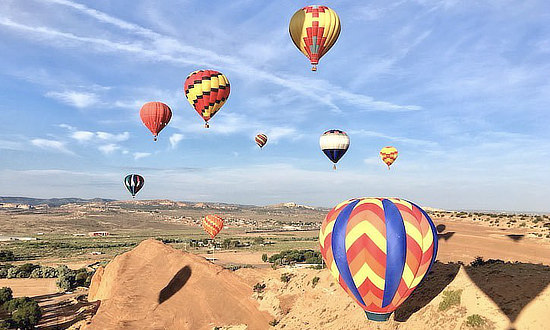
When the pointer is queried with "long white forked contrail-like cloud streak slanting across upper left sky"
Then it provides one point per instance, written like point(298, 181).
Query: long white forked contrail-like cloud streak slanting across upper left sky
point(167, 49)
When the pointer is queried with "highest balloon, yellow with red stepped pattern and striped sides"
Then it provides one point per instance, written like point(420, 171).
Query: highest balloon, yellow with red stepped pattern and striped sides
point(314, 30)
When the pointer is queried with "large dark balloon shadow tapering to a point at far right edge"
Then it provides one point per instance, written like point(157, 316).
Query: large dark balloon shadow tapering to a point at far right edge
point(511, 285)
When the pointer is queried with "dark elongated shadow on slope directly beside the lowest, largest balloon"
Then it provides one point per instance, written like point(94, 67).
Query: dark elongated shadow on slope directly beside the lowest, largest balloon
point(435, 282)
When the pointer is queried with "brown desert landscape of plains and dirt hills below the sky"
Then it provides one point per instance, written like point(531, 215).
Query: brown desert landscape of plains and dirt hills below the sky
point(155, 268)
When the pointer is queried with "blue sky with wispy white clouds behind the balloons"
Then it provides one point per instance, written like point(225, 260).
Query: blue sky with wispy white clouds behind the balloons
point(461, 88)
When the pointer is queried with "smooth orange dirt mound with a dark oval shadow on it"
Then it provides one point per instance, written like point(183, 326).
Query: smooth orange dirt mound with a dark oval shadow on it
point(157, 287)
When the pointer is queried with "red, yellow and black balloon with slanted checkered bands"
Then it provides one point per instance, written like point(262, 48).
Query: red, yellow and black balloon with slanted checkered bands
point(206, 91)
